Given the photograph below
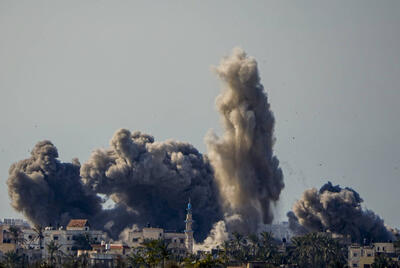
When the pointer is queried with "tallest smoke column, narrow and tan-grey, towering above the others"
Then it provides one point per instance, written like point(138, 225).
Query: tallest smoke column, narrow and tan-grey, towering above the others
point(246, 171)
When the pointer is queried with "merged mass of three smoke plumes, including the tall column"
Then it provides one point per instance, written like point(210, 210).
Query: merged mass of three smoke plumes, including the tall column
point(151, 182)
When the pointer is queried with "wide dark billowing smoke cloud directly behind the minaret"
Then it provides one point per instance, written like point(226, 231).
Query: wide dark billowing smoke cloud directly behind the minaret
point(154, 180)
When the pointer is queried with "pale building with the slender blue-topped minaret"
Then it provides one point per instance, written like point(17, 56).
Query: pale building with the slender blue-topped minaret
point(179, 243)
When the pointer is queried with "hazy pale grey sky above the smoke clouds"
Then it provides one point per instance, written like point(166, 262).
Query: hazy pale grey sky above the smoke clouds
point(74, 72)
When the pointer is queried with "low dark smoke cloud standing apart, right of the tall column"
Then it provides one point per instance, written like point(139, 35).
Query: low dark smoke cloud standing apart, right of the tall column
point(339, 211)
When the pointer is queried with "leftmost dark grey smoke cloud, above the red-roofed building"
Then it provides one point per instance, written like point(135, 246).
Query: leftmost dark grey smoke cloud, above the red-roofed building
point(48, 191)
